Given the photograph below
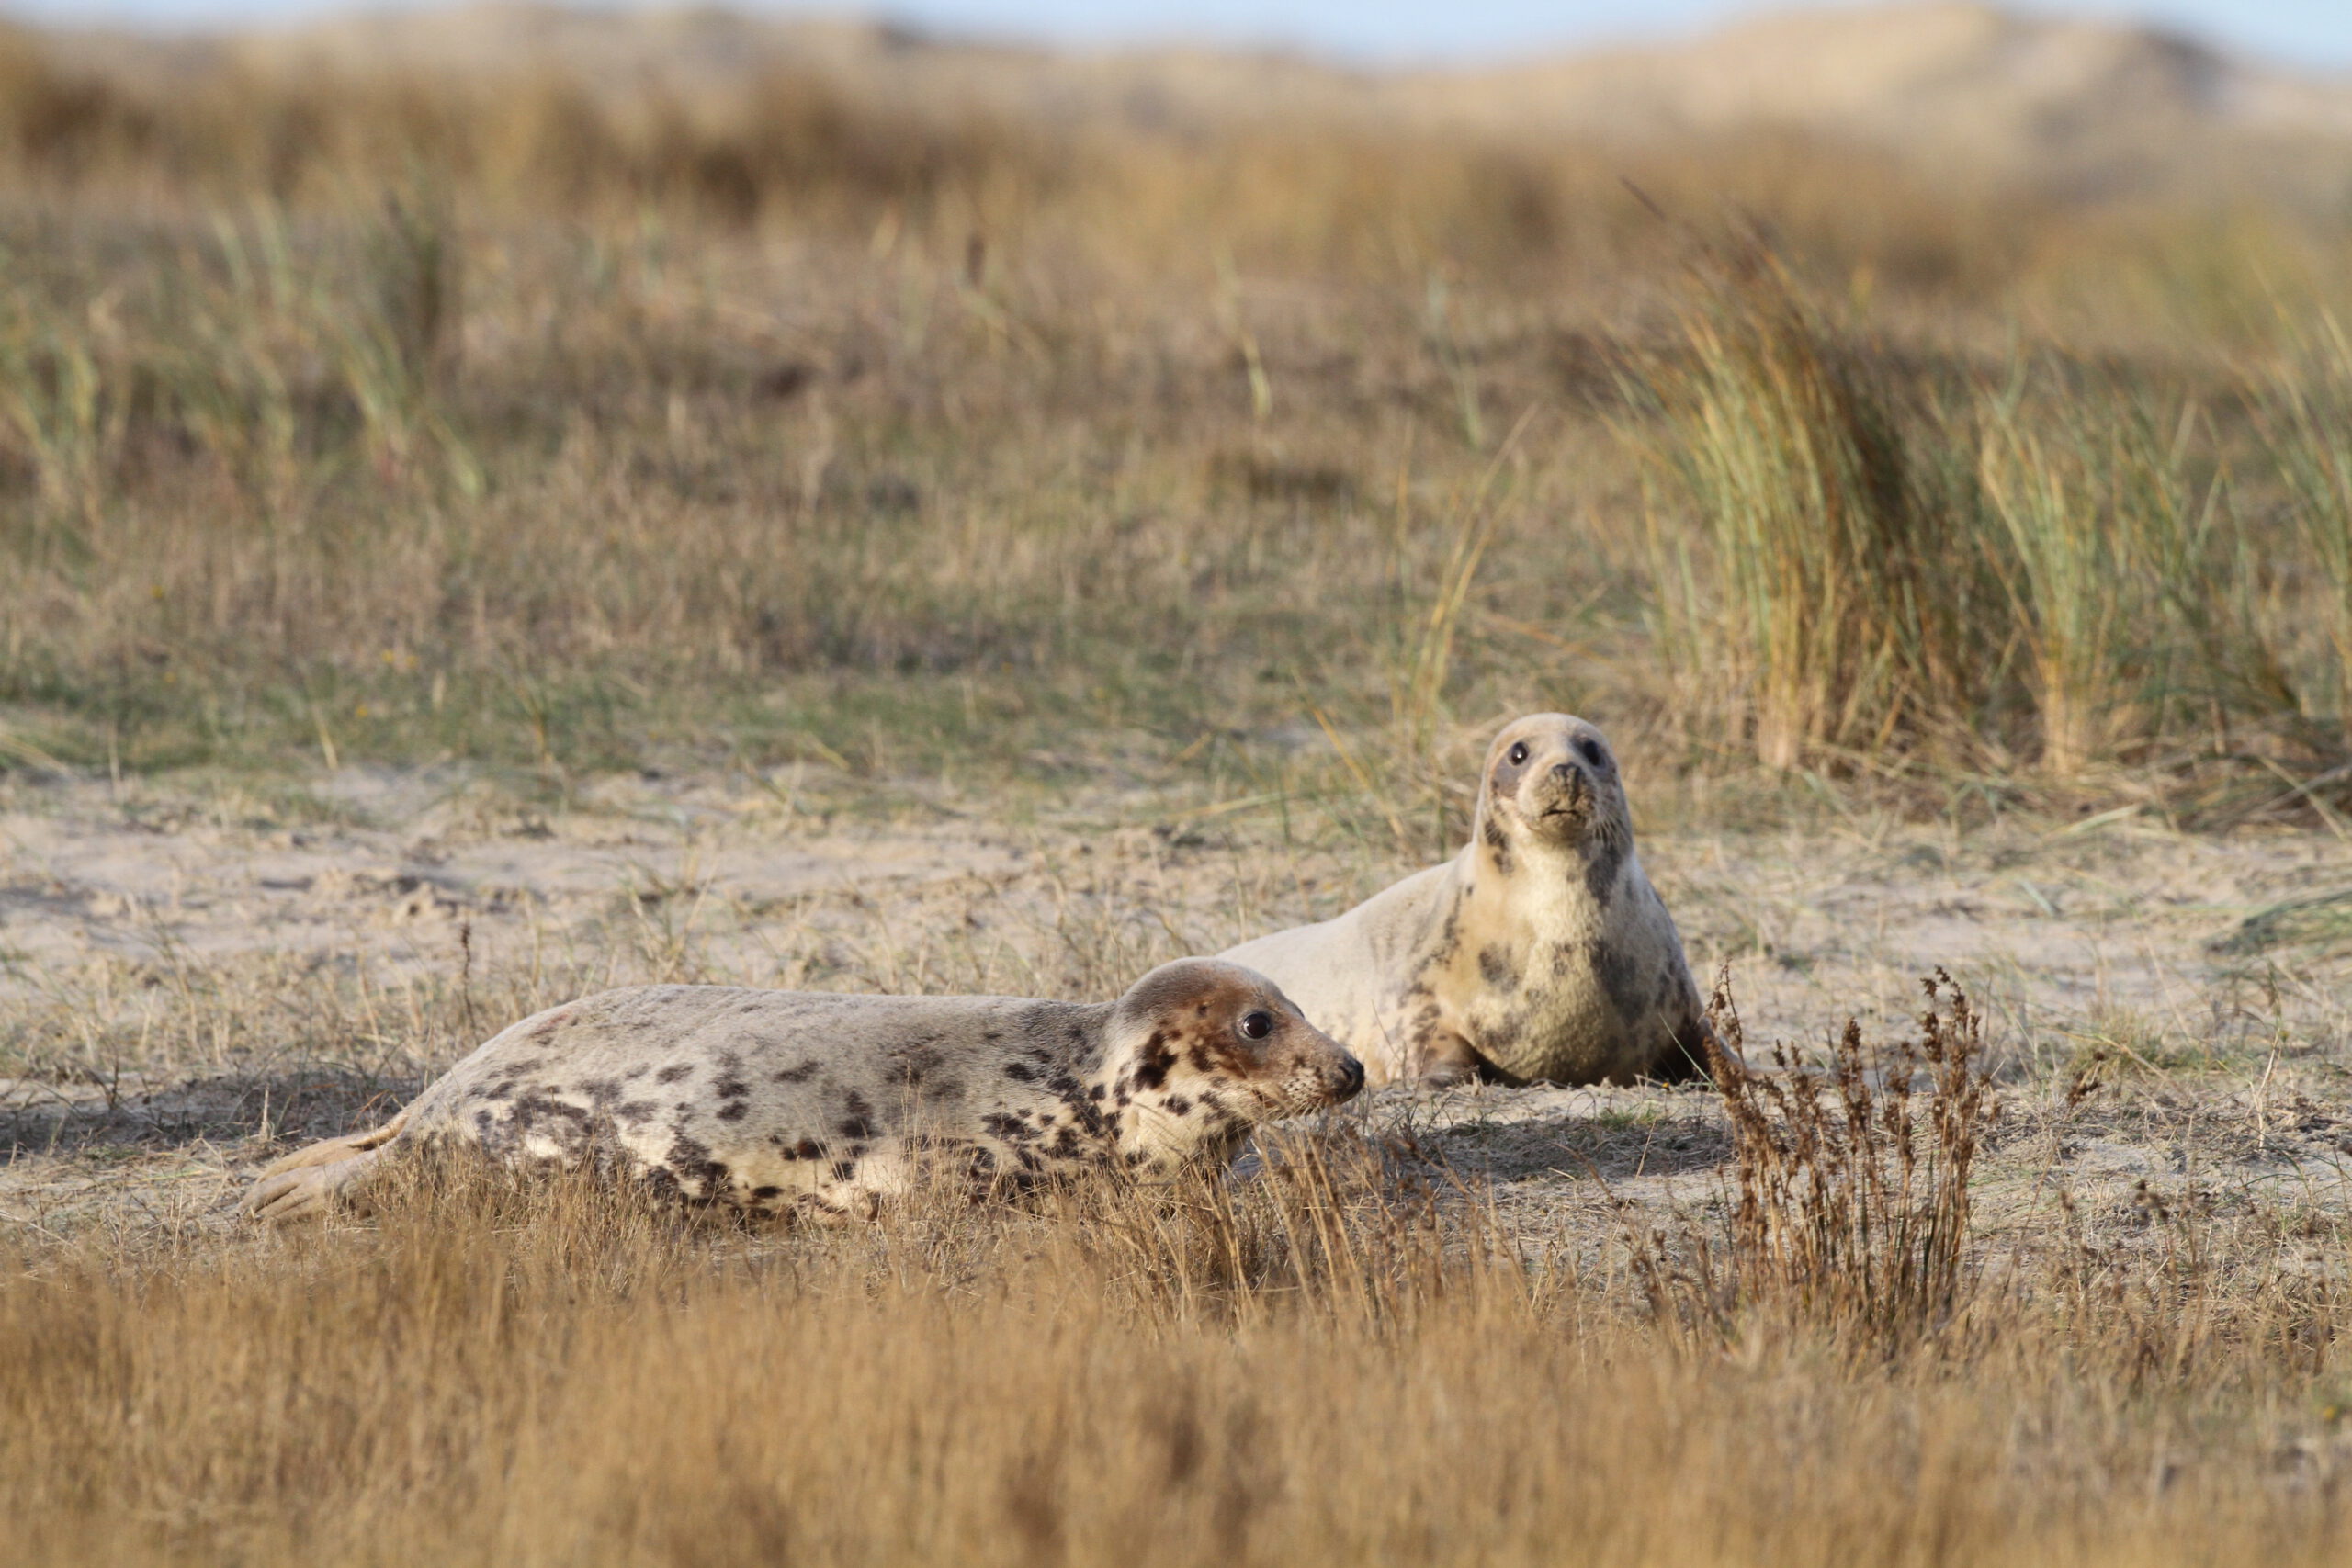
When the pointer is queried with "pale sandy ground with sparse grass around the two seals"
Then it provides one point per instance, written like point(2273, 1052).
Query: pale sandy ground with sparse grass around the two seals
point(2092, 951)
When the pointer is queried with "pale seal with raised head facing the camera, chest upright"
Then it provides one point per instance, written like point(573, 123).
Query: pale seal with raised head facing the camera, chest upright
point(1537, 953)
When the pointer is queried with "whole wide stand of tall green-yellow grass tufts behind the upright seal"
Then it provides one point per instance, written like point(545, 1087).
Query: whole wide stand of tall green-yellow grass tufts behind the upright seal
point(1935, 565)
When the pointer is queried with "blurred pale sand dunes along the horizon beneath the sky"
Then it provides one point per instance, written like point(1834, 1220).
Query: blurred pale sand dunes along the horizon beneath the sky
point(1963, 88)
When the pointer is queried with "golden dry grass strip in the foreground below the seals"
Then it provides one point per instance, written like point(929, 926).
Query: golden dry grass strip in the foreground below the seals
point(1335, 1362)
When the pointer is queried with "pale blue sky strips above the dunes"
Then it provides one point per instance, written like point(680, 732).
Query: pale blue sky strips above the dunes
point(2313, 34)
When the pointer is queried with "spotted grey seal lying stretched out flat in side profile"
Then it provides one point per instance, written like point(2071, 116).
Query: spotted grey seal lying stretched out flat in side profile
point(829, 1104)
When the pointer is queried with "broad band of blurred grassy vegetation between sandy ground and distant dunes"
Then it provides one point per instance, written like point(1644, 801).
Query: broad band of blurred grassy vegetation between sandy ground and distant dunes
point(396, 417)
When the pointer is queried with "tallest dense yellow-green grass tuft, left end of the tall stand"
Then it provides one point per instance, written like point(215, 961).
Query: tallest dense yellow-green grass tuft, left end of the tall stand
point(1838, 610)
